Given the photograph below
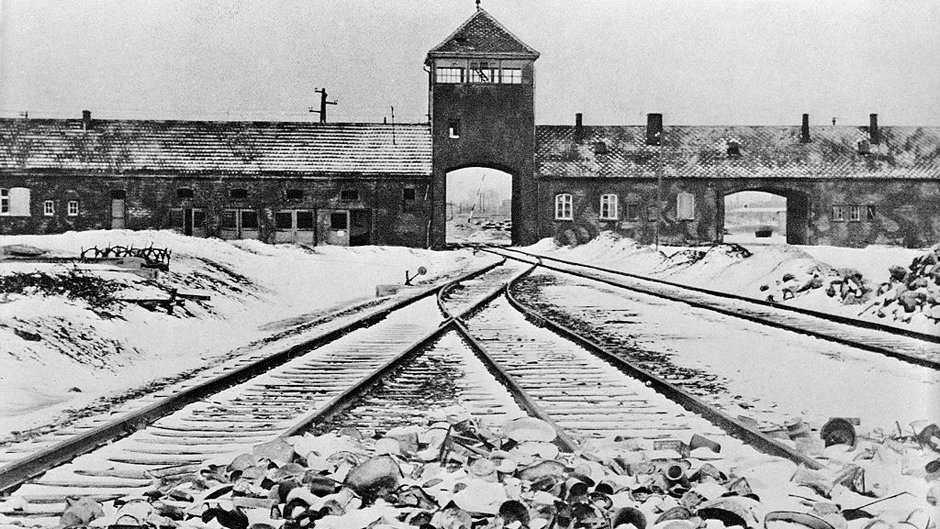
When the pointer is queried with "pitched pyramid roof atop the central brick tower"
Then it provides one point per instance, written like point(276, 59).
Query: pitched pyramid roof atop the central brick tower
point(482, 36)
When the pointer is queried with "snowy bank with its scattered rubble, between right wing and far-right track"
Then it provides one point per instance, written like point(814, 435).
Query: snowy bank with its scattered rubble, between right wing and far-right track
point(851, 282)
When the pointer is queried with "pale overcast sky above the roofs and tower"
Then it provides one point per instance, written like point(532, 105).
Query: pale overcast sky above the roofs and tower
point(696, 61)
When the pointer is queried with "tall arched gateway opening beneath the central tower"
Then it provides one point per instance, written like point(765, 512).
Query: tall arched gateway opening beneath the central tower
point(479, 206)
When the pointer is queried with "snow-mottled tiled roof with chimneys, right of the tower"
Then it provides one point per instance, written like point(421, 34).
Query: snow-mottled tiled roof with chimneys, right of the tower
point(763, 151)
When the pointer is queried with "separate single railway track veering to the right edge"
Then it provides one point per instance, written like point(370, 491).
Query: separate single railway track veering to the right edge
point(909, 346)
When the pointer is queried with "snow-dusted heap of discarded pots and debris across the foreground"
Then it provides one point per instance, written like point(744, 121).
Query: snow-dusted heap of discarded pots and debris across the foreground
point(457, 474)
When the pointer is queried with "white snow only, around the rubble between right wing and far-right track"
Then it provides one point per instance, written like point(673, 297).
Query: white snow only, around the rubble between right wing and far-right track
point(724, 269)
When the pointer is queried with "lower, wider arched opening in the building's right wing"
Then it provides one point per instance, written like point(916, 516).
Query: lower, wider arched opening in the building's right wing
point(765, 217)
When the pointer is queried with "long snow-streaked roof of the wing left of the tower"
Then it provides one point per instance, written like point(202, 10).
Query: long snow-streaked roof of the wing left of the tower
point(127, 146)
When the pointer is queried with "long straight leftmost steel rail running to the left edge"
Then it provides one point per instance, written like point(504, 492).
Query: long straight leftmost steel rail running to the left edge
point(15, 473)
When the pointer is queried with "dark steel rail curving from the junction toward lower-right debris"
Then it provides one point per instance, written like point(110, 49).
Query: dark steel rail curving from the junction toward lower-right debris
point(749, 435)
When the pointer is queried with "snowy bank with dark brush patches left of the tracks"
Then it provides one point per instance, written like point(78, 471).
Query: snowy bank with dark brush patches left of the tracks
point(67, 338)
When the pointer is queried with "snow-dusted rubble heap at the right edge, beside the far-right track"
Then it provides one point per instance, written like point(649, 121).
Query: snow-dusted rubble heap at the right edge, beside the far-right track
point(910, 291)
